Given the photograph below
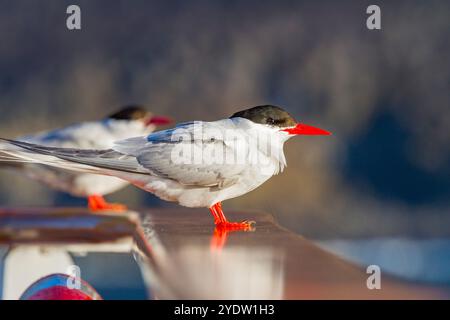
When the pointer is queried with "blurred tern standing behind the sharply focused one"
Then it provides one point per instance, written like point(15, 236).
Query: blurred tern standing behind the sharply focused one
point(130, 121)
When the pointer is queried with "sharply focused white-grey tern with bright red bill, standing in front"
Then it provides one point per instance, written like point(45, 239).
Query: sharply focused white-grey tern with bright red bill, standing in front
point(197, 164)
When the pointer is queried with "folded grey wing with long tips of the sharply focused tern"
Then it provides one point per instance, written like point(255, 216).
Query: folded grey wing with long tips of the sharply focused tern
point(154, 158)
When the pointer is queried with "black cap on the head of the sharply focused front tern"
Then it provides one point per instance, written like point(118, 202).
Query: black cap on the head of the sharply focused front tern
point(269, 115)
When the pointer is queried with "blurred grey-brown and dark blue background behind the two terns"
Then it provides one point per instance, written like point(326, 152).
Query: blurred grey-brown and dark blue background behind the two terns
point(383, 93)
